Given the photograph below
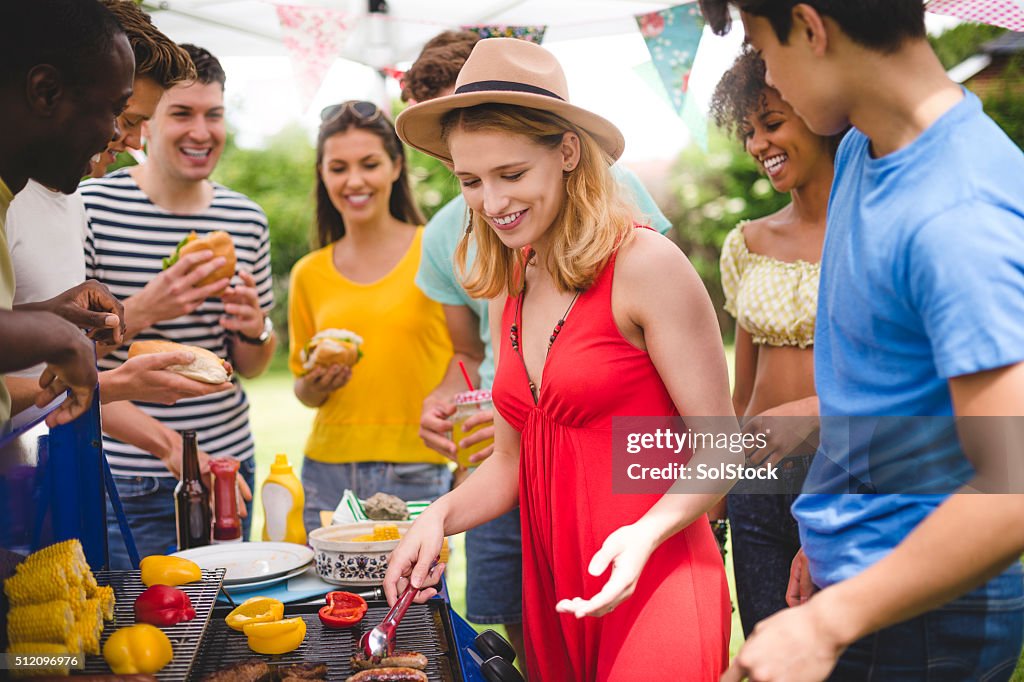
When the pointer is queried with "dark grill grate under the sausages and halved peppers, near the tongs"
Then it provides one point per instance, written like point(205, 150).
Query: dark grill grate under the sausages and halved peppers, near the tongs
point(423, 629)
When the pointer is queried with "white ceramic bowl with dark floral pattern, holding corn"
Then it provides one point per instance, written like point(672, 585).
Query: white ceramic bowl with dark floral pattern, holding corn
point(342, 562)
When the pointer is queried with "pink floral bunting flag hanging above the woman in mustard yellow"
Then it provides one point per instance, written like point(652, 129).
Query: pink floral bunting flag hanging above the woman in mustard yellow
point(314, 38)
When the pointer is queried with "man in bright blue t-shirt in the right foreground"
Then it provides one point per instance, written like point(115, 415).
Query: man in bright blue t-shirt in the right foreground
point(921, 320)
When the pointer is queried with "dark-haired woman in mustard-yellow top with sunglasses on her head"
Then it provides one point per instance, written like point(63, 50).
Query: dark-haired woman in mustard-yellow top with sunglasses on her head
point(366, 435)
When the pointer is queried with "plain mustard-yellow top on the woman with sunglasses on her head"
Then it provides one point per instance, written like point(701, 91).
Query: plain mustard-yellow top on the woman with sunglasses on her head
point(406, 351)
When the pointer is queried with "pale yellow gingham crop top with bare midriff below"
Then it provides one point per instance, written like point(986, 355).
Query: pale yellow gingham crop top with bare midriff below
point(775, 301)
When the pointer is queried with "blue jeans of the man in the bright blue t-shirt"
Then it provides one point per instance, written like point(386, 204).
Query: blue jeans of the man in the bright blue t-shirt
point(977, 637)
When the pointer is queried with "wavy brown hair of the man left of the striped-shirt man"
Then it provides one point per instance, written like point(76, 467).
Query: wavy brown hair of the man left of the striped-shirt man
point(157, 57)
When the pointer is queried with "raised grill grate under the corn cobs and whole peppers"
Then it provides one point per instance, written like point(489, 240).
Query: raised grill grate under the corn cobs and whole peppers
point(186, 637)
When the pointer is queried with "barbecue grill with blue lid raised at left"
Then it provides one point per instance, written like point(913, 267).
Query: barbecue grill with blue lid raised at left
point(66, 484)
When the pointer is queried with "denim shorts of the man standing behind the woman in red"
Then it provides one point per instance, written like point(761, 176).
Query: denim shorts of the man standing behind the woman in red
point(494, 572)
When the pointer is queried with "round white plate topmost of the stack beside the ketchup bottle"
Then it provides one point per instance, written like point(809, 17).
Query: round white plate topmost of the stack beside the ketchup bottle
point(250, 562)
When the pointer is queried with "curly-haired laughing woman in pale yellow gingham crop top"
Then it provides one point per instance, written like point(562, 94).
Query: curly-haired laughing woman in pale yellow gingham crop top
point(771, 276)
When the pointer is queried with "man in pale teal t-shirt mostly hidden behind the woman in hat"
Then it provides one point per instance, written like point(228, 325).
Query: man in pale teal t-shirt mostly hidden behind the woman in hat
point(494, 551)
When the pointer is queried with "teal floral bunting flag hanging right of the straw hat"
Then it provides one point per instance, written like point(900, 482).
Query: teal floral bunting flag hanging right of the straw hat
point(673, 36)
